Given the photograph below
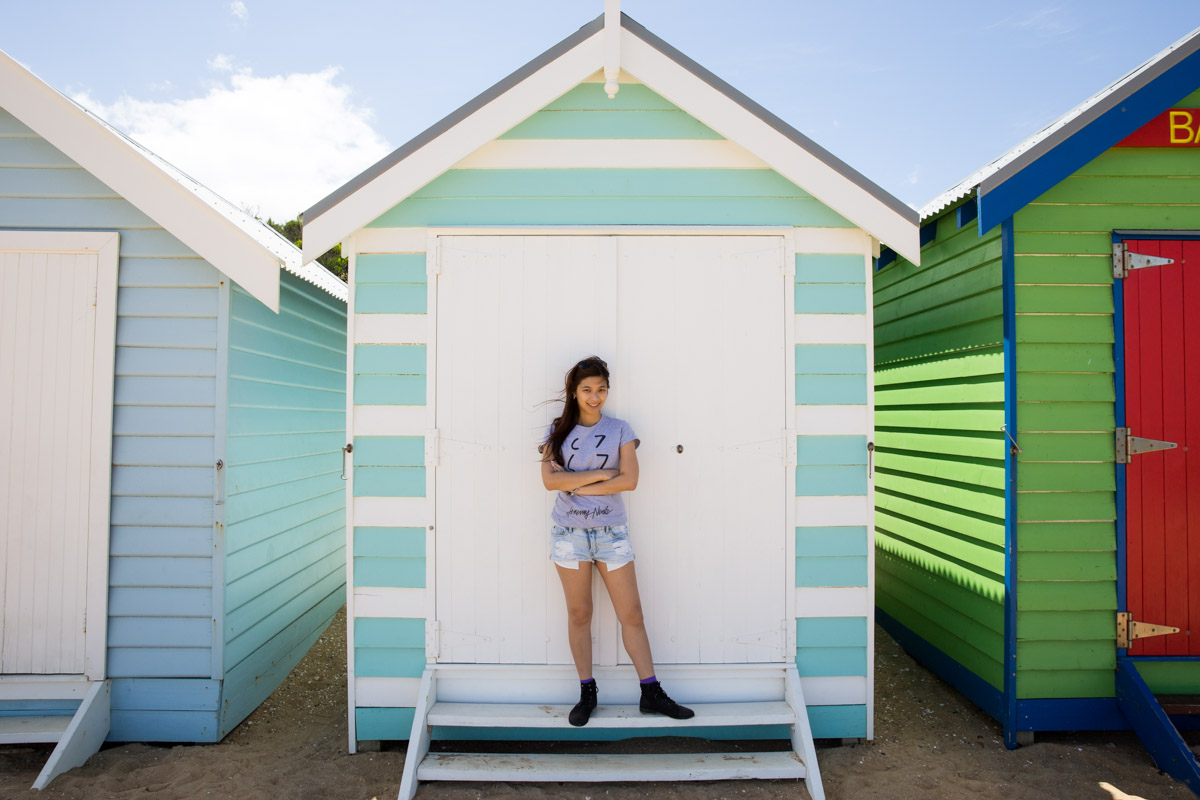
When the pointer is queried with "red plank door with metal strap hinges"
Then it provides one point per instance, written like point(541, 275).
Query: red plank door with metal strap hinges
point(1162, 350)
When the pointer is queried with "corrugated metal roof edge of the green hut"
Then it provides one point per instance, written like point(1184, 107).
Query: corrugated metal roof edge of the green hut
point(1063, 129)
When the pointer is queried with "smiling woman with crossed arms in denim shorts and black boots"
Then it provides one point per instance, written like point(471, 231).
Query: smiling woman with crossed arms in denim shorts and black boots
point(590, 460)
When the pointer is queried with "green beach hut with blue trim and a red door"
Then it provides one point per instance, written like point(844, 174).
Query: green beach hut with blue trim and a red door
point(1031, 530)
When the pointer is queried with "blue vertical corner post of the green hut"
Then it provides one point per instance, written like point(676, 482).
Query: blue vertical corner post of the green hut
point(1010, 328)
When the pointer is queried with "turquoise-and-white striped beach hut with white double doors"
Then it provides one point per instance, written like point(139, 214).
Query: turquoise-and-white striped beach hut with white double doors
point(611, 197)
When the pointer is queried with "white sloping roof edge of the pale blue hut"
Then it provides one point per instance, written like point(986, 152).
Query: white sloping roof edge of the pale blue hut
point(233, 242)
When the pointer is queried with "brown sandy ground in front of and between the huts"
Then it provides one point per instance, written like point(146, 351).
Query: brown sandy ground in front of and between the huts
point(931, 744)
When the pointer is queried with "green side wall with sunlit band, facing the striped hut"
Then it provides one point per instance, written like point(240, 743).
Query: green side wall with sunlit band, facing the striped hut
point(940, 465)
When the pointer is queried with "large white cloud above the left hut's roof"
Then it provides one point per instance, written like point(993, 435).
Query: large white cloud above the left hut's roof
point(273, 146)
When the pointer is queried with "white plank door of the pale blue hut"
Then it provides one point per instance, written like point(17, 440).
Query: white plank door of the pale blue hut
point(57, 335)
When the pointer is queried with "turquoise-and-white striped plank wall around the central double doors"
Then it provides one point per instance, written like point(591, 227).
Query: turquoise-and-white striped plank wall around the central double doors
point(586, 160)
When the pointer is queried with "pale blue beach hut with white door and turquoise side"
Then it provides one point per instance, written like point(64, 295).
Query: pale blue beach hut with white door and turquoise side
point(172, 416)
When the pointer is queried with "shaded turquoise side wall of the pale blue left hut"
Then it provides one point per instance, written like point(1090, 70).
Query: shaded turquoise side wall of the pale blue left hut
point(285, 542)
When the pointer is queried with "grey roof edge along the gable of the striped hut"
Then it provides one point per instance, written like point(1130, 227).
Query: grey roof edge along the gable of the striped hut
point(585, 33)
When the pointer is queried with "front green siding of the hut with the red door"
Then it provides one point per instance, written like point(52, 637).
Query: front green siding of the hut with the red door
point(1066, 476)
